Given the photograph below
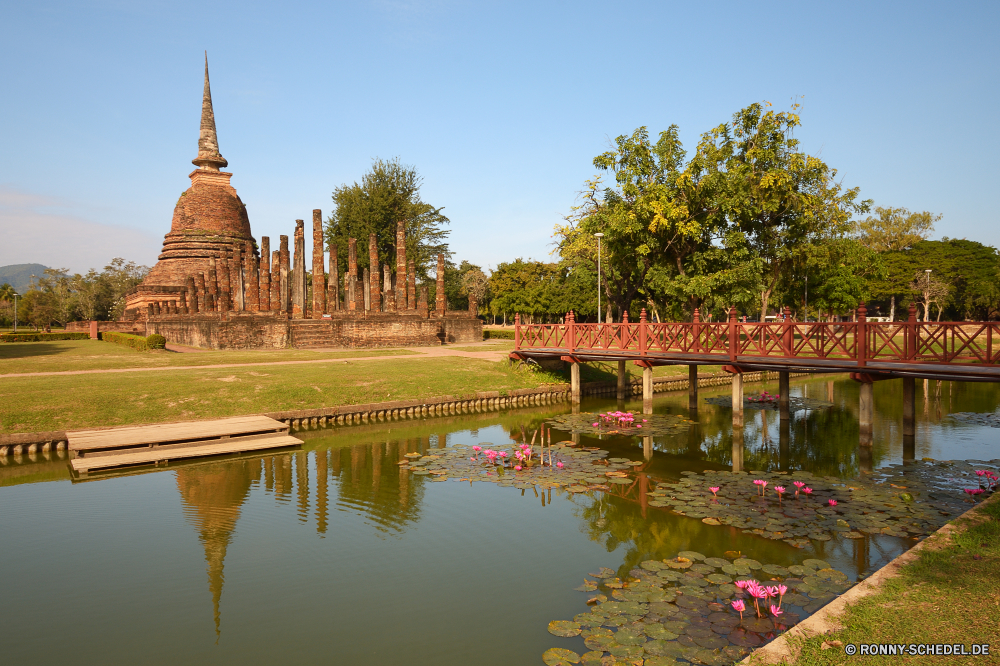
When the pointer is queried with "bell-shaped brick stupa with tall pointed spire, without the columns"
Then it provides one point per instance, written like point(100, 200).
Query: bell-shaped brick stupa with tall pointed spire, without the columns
point(209, 219)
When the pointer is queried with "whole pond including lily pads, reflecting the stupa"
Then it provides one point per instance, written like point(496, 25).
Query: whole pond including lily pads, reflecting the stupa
point(340, 553)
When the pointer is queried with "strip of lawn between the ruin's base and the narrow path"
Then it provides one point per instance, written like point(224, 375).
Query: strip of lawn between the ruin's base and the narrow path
point(64, 355)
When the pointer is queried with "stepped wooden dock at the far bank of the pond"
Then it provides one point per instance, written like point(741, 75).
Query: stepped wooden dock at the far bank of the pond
point(113, 448)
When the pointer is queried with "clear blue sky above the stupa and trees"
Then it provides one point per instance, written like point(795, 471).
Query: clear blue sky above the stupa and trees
point(501, 107)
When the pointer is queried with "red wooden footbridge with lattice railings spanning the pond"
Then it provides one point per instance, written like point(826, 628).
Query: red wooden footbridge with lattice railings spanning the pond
point(963, 351)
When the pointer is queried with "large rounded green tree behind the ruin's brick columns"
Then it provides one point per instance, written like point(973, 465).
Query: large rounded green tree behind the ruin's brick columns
point(388, 193)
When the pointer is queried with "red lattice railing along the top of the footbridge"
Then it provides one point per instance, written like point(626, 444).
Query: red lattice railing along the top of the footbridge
point(858, 342)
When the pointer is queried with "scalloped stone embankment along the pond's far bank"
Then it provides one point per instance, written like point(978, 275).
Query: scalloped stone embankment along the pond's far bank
point(485, 401)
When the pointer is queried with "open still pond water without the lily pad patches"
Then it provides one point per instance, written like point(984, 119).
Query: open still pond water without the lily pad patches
point(333, 554)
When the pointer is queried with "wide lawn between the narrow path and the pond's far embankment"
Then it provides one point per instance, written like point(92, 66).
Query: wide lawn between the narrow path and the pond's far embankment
point(78, 401)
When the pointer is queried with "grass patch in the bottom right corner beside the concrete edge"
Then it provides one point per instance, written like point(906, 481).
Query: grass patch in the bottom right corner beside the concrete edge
point(947, 595)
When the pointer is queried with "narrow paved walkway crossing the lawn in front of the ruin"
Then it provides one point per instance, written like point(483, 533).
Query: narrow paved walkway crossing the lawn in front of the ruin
point(418, 354)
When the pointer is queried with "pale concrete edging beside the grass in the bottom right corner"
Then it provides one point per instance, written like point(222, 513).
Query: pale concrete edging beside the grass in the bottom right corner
point(826, 619)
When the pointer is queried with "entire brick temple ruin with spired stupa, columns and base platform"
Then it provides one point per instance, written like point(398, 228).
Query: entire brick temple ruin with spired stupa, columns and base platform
point(213, 286)
